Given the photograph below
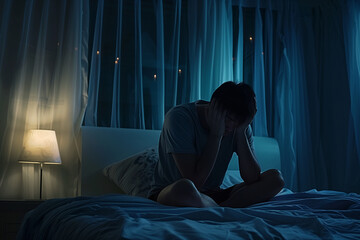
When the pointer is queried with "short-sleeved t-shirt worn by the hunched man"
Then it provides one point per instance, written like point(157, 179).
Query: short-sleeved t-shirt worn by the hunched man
point(182, 132)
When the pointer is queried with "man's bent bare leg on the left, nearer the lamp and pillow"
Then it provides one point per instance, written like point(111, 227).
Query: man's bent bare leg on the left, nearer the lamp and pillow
point(183, 193)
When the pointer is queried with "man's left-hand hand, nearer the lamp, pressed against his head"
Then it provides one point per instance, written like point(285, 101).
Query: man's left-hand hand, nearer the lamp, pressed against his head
point(216, 118)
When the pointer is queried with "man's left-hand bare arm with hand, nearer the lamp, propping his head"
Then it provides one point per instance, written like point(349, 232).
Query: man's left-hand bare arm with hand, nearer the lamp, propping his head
point(198, 168)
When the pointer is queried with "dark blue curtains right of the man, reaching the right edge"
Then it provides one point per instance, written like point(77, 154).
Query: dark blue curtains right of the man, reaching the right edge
point(306, 79)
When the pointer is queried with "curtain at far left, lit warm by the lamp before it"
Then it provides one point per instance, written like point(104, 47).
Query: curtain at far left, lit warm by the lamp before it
point(43, 77)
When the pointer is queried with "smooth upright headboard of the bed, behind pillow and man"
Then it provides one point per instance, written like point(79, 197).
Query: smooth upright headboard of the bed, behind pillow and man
point(102, 146)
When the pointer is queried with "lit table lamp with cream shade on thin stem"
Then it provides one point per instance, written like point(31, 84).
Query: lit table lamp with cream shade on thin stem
point(40, 147)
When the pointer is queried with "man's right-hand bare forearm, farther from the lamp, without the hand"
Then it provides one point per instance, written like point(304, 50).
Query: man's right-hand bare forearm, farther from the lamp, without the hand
point(248, 166)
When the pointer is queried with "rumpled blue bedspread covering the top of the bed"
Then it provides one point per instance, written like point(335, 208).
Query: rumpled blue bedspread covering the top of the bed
point(308, 215)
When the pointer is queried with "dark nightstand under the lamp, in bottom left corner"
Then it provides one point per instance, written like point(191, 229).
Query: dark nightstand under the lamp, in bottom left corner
point(12, 213)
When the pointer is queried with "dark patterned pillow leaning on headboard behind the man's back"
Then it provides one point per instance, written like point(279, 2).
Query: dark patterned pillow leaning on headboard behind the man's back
point(134, 174)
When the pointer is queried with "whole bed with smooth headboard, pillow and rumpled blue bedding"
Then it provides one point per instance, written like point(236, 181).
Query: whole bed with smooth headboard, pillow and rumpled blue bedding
point(109, 209)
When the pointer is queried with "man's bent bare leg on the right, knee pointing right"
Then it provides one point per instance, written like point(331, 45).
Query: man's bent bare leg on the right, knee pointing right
point(243, 195)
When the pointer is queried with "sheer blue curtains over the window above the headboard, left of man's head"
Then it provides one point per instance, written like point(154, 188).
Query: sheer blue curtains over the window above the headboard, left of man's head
point(164, 53)
